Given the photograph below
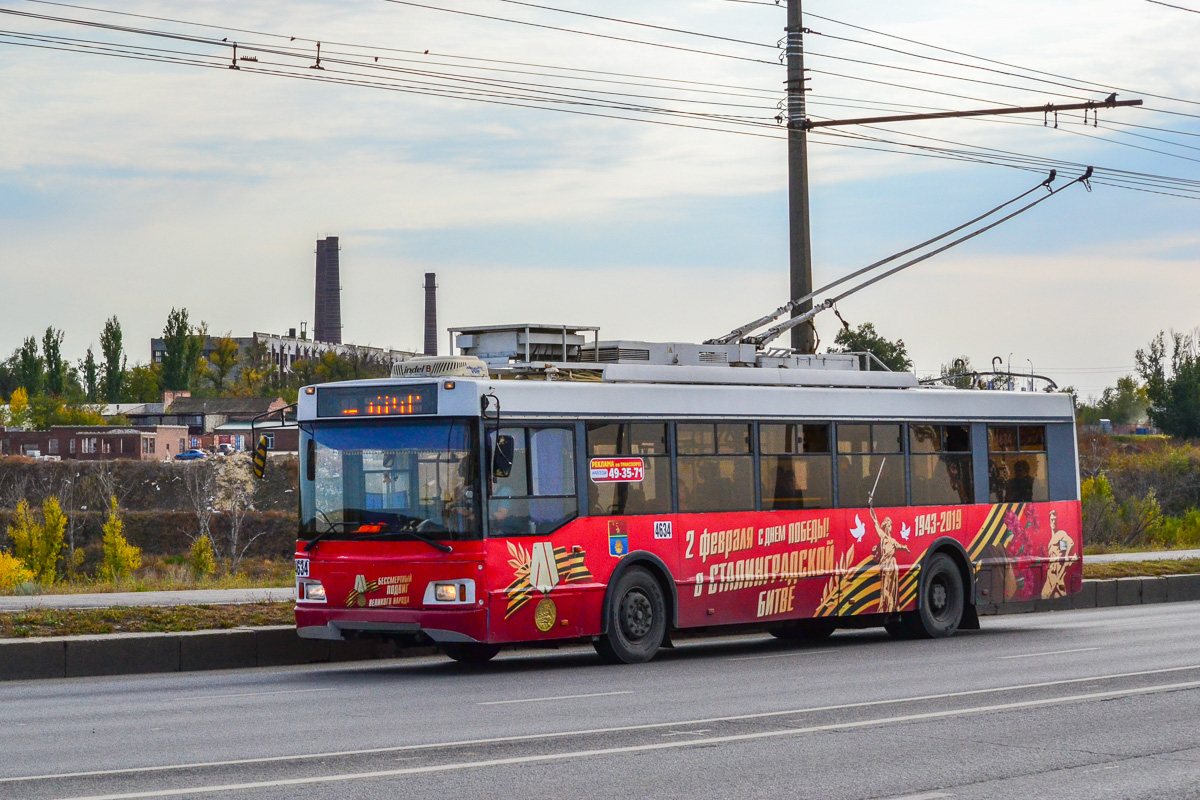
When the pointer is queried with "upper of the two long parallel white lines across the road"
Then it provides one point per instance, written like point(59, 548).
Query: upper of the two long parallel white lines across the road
point(562, 735)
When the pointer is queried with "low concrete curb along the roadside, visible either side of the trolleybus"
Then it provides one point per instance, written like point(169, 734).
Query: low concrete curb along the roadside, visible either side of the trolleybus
point(129, 654)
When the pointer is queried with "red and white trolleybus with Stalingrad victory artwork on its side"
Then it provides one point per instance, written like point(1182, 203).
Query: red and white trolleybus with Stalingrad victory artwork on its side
point(592, 497)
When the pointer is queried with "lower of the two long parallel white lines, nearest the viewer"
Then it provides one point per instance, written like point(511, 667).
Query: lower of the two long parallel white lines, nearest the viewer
point(926, 717)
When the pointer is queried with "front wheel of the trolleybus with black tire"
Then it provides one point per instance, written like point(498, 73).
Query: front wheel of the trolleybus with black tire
point(638, 619)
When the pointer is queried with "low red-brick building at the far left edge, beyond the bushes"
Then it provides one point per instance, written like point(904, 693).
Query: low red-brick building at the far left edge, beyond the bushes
point(98, 443)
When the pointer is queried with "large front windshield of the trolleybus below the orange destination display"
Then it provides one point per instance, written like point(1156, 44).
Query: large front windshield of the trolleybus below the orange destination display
point(391, 479)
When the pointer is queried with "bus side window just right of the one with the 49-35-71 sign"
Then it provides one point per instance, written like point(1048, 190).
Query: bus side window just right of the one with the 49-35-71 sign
point(716, 467)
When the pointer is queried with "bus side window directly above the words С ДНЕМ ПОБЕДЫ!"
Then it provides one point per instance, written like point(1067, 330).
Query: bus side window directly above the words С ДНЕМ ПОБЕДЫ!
point(796, 466)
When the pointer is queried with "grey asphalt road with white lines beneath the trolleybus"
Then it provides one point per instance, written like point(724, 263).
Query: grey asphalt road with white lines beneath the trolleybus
point(1073, 705)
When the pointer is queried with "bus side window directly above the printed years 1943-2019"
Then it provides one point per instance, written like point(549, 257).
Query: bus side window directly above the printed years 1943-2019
point(941, 465)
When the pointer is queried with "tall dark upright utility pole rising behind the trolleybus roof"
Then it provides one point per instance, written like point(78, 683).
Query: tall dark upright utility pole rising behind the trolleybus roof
point(799, 177)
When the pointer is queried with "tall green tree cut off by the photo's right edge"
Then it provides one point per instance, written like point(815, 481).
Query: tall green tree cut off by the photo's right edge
point(1173, 389)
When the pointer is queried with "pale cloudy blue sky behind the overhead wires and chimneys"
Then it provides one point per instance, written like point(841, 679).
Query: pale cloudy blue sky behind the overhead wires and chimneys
point(130, 188)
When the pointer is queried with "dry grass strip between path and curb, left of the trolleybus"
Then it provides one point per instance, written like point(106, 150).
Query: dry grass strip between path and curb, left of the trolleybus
point(127, 619)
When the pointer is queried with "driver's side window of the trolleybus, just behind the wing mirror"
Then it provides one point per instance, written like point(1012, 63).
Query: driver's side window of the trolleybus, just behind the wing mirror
point(538, 495)
